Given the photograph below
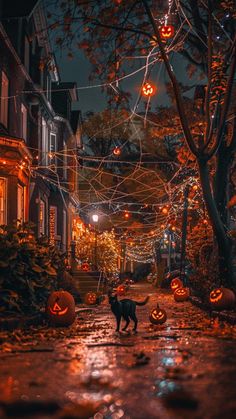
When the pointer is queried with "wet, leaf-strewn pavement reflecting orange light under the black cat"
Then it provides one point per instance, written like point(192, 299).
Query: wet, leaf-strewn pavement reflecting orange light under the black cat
point(183, 369)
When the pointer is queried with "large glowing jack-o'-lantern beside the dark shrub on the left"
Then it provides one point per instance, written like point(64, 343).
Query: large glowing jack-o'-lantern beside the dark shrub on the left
point(61, 308)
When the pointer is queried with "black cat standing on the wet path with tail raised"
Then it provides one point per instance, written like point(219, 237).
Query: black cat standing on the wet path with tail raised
point(125, 308)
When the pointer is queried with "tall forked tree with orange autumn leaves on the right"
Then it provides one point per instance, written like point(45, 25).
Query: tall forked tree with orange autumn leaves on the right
point(114, 31)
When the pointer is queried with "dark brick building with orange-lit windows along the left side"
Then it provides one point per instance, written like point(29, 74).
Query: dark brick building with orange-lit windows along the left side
point(39, 133)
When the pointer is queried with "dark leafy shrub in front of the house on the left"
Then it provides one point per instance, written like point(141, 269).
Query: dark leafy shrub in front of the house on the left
point(29, 269)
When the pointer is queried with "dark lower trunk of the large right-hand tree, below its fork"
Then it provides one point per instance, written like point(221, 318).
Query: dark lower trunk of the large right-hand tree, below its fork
point(224, 243)
